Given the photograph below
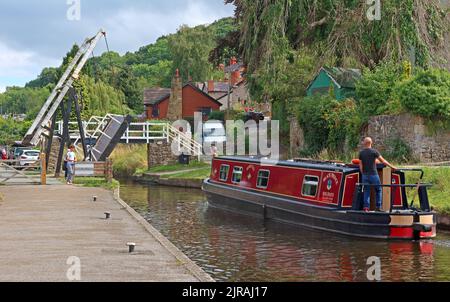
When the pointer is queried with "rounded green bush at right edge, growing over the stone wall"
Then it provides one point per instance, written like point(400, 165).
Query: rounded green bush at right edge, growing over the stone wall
point(427, 94)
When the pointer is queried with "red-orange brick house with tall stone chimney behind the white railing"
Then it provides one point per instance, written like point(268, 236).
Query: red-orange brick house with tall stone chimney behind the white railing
point(179, 102)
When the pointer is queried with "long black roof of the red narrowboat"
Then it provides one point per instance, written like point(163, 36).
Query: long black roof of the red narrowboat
point(328, 166)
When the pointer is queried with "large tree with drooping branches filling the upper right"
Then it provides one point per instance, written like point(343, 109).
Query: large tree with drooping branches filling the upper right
point(339, 29)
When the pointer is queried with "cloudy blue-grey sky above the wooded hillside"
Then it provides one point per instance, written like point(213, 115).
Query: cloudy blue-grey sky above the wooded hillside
point(35, 34)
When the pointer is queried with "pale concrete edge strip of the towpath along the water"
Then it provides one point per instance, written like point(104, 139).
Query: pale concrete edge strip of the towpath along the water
point(188, 264)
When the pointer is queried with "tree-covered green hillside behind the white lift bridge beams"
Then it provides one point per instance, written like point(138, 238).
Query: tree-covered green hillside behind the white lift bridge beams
point(114, 83)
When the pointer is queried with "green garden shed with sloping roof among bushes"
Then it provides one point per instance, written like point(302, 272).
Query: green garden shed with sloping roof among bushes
point(342, 80)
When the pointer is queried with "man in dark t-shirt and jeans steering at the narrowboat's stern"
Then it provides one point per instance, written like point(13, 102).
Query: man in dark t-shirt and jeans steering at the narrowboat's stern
point(368, 165)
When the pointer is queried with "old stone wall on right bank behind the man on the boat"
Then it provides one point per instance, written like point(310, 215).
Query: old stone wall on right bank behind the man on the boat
point(426, 146)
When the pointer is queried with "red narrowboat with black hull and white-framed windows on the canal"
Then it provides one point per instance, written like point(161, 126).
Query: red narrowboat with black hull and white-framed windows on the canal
point(320, 195)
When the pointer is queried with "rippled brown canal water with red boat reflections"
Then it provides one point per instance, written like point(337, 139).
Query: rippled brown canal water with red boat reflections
point(232, 247)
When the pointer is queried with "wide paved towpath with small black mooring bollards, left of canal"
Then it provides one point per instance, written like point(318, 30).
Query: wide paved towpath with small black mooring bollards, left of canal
point(42, 226)
